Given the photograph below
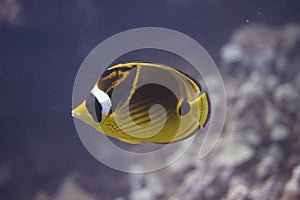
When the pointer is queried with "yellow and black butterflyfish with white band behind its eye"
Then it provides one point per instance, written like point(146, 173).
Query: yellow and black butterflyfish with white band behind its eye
point(144, 102)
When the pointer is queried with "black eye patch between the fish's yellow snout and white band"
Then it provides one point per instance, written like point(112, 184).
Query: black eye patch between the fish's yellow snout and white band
point(94, 107)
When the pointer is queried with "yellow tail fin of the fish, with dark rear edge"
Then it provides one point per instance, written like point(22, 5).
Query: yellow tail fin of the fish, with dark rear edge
point(203, 103)
